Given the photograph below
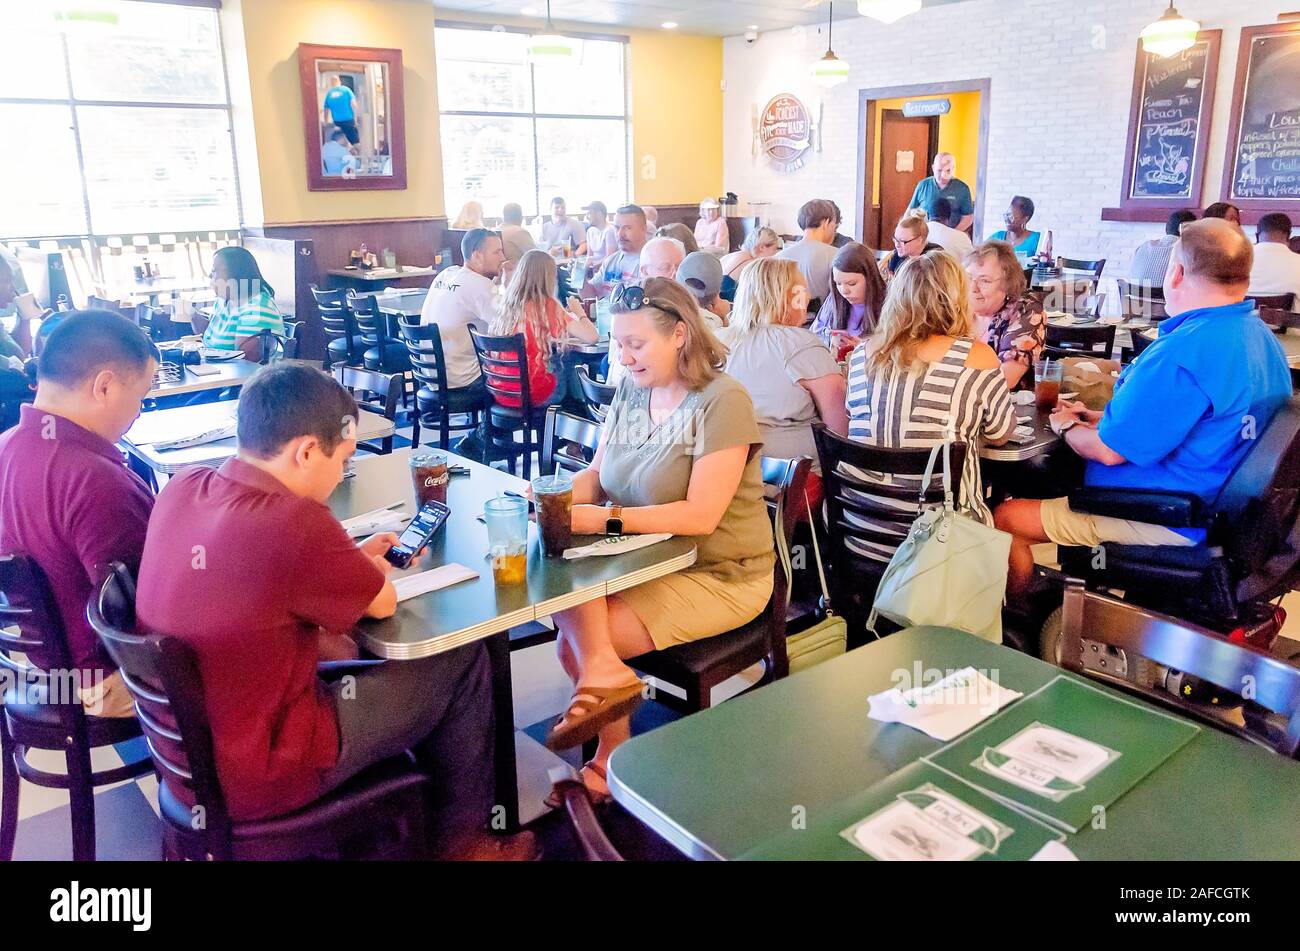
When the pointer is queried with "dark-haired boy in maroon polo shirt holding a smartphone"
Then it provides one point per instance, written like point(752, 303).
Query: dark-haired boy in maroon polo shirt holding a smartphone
point(248, 566)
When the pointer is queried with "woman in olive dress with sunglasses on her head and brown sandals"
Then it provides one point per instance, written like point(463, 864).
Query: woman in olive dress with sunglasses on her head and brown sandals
point(679, 454)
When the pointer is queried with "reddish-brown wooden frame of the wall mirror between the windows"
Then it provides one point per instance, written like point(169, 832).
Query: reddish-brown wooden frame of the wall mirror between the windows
point(317, 180)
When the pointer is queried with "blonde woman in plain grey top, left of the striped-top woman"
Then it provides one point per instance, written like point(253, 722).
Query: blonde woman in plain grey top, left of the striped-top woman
point(788, 371)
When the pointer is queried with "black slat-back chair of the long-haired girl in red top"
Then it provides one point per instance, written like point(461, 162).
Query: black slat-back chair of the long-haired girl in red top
point(505, 368)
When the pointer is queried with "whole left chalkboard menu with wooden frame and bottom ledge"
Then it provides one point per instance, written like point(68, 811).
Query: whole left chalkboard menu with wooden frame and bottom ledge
point(1169, 131)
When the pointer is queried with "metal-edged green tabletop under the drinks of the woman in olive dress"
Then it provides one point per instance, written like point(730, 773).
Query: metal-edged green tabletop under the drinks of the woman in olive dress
point(474, 610)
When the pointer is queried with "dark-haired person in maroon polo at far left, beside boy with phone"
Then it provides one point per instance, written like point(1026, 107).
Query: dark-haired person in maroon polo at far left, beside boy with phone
point(67, 498)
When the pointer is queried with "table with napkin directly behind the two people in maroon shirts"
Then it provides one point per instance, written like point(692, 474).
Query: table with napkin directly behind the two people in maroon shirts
point(180, 422)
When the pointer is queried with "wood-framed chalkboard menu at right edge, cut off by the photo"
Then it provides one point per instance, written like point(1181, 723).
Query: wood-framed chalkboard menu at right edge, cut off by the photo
point(1264, 140)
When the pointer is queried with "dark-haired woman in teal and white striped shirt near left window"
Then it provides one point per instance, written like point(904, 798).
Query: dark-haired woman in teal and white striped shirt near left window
point(246, 305)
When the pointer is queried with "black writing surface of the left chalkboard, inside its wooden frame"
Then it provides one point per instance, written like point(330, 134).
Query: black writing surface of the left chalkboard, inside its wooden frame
point(1171, 114)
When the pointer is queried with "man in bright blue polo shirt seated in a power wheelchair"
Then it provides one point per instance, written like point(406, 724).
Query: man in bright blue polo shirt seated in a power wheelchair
point(1184, 414)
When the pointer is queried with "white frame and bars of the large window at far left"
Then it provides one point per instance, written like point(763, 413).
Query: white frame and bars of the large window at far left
point(72, 105)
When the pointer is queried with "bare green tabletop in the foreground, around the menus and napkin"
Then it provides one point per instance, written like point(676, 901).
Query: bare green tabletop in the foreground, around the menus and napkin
point(731, 783)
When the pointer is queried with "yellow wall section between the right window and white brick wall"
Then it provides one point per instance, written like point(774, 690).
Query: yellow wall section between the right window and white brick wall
point(677, 118)
